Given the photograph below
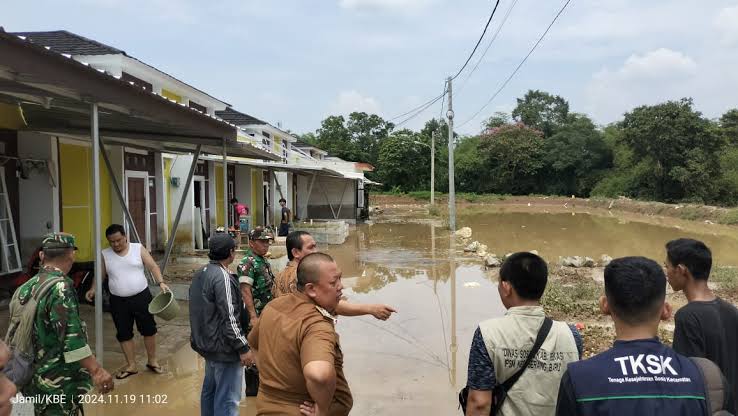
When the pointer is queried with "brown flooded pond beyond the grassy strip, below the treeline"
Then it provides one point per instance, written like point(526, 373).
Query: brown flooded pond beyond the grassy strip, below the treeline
point(563, 234)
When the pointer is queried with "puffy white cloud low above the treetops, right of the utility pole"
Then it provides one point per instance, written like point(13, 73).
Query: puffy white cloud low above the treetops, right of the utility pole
point(653, 77)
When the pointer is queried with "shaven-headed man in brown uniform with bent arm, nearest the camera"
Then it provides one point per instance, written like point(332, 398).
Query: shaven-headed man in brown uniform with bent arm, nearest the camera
point(298, 353)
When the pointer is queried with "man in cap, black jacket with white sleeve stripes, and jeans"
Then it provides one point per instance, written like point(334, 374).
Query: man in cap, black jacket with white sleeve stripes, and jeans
point(215, 311)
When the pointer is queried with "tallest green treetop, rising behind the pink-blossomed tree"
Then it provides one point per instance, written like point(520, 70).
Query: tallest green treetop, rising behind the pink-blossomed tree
point(542, 111)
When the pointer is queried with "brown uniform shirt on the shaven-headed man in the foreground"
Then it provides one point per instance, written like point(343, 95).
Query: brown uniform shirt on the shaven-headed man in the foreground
point(292, 332)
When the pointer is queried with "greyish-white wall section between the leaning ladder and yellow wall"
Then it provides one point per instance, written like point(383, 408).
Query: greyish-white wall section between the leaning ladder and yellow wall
point(38, 199)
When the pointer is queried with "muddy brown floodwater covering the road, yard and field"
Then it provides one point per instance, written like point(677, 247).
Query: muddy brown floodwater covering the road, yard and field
point(416, 362)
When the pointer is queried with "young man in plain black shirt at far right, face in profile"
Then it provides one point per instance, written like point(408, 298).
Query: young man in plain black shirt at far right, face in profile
point(707, 326)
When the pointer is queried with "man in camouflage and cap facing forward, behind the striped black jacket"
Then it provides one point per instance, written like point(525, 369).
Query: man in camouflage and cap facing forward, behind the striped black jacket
point(255, 274)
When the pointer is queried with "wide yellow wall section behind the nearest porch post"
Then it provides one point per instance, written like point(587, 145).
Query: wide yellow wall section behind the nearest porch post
point(76, 196)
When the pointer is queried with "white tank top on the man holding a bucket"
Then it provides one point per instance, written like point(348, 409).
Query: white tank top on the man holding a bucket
point(125, 273)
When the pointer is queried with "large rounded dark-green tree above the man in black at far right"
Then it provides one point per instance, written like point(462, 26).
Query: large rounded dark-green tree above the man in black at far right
point(681, 147)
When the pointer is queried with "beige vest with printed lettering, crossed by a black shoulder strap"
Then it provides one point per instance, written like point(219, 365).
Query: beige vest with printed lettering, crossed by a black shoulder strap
point(508, 341)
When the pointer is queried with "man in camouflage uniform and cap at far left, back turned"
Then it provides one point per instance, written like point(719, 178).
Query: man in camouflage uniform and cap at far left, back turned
point(64, 363)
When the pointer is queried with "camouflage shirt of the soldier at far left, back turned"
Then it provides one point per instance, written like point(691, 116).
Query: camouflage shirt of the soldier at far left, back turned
point(60, 338)
